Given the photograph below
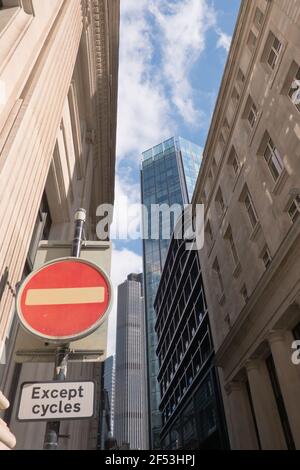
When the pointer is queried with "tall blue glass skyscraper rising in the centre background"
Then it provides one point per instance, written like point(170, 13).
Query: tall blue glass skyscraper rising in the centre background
point(168, 175)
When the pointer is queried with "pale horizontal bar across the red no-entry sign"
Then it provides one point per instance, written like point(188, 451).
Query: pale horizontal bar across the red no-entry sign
point(63, 296)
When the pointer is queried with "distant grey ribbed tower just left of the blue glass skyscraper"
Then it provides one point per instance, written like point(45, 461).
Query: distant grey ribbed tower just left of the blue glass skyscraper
point(130, 416)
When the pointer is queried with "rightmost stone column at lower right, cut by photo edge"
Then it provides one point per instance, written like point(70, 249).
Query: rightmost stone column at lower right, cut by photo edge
point(288, 377)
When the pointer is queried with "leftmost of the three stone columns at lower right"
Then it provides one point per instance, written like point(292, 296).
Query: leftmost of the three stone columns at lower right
point(242, 432)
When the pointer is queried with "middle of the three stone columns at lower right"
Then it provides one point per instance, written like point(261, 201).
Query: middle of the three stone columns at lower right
point(265, 407)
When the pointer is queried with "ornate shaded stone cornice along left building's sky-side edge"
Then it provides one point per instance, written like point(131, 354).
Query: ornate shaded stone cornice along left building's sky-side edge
point(105, 36)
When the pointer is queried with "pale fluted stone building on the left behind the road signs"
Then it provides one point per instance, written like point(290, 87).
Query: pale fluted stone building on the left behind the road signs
point(58, 111)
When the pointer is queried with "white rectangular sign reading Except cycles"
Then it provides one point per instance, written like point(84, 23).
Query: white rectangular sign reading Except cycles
point(46, 401)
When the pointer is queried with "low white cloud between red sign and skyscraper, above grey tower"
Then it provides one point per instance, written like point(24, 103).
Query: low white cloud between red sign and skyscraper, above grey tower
point(123, 262)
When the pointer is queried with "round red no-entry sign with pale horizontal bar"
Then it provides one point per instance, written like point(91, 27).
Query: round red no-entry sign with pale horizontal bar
point(65, 299)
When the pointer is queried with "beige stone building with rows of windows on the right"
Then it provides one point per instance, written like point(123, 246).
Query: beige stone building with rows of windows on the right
point(250, 184)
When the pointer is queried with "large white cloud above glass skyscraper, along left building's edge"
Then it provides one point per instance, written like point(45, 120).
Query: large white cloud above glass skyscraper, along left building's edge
point(144, 111)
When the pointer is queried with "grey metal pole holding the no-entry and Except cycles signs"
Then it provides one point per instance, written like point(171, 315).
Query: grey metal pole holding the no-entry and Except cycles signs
point(61, 356)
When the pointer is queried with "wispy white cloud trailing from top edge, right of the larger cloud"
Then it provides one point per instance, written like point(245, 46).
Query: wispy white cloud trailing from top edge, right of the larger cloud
point(183, 25)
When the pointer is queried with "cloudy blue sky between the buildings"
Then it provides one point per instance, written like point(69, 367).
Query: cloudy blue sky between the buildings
point(172, 57)
